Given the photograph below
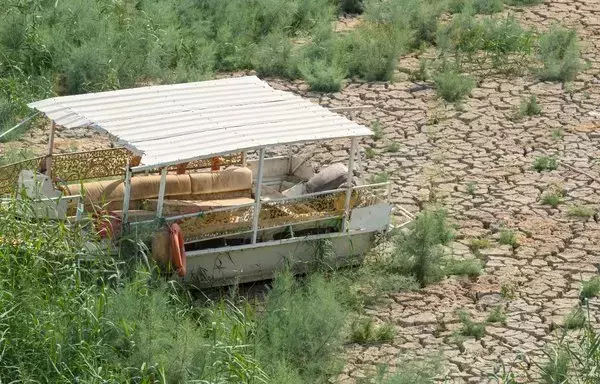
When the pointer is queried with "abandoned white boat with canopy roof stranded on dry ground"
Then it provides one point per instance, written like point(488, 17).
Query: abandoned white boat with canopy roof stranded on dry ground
point(190, 172)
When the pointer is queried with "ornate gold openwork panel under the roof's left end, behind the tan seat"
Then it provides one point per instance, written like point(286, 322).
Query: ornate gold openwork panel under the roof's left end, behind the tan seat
point(90, 165)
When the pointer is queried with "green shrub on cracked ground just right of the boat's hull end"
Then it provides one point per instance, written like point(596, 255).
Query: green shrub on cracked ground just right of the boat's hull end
point(418, 252)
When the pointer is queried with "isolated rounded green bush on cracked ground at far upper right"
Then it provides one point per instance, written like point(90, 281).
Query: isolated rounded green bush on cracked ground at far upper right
point(559, 52)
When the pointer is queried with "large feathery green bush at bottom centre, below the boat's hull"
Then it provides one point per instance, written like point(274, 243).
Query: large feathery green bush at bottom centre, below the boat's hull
point(302, 325)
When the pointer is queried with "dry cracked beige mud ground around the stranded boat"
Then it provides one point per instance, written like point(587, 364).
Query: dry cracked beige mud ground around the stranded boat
point(477, 162)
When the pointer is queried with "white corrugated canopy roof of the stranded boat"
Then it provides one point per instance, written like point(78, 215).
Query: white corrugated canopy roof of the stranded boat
point(170, 124)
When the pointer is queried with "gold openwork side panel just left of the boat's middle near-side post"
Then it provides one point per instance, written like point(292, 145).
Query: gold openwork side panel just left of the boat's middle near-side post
point(212, 224)
